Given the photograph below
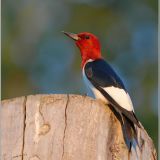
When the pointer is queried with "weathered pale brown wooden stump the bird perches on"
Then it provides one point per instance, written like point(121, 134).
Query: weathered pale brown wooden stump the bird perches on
point(65, 127)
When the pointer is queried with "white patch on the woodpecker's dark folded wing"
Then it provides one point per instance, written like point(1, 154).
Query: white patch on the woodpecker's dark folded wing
point(120, 96)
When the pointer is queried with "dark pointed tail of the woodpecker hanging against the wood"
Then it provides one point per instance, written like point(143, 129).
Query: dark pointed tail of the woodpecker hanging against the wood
point(130, 132)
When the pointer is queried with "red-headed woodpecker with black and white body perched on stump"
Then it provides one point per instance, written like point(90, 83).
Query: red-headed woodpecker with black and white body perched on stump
point(104, 83)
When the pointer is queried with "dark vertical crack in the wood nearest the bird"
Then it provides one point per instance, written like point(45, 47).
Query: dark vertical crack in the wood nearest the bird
point(65, 114)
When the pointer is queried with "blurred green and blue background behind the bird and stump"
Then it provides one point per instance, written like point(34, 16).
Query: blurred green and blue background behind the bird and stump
point(38, 58)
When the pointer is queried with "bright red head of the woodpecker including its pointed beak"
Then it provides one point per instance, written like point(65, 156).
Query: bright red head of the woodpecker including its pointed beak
point(88, 44)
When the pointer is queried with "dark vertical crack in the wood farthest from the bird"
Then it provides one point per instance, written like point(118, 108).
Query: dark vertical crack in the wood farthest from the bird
point(24, 127)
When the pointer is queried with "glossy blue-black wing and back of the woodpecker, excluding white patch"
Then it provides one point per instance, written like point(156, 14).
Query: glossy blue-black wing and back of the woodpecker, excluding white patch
point(100, 74)
